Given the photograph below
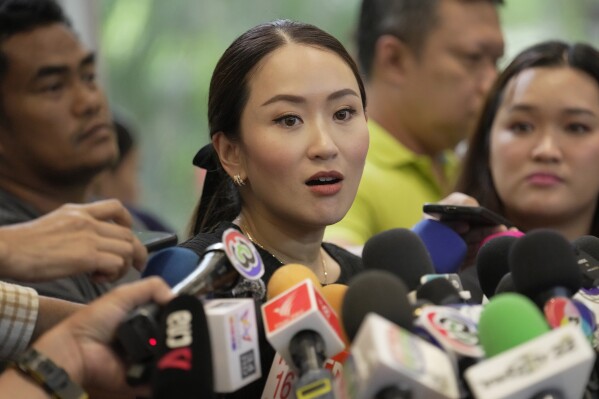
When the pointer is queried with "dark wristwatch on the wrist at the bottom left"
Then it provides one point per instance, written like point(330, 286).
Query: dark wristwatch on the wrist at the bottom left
point(55, 381)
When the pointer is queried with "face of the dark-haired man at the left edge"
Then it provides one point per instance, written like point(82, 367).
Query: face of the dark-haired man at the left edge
point(55, 125)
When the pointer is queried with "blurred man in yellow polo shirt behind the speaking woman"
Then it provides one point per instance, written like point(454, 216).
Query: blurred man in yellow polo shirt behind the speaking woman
point(428, 66)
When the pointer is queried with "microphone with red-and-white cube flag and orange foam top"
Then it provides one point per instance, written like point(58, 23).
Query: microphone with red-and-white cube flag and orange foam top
point(303, 328)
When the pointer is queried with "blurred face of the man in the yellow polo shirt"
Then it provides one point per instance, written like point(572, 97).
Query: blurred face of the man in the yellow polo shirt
point(449, 79)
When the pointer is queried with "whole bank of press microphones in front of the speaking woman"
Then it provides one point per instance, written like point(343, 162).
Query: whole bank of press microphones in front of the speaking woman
point(399, 329)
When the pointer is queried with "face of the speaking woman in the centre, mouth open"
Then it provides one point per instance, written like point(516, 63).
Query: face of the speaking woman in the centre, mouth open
point(304, 137)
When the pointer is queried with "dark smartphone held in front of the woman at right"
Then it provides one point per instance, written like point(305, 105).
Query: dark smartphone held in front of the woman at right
point(475, 215)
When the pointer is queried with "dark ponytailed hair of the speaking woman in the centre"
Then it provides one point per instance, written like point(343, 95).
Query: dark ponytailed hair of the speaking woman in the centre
point(229, 93)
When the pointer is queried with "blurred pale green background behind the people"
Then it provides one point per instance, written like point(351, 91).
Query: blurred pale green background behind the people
point(156, 58)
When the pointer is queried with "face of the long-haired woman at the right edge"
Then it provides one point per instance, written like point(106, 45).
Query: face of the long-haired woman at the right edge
point(544, 155)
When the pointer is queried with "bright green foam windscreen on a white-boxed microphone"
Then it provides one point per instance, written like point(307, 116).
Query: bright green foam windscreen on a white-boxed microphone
point(509, 320)
